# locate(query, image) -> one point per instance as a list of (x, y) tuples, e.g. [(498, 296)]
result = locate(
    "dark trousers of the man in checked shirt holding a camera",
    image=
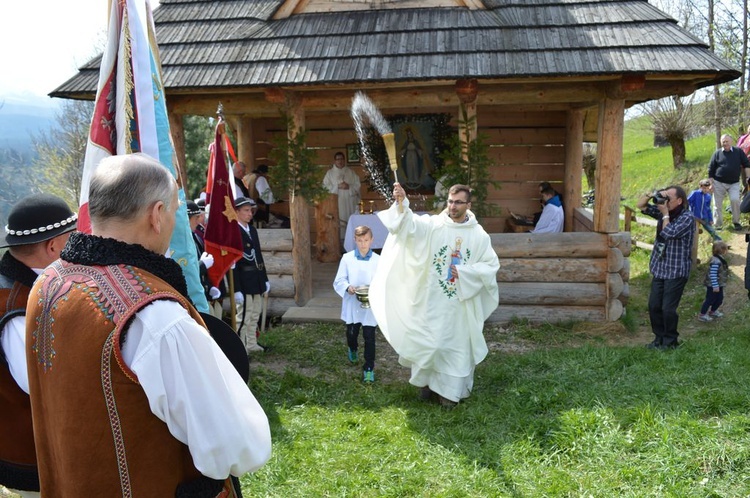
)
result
[(662, 309)]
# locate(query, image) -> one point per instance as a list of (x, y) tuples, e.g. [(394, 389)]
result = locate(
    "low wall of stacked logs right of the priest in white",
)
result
[(562, 276)]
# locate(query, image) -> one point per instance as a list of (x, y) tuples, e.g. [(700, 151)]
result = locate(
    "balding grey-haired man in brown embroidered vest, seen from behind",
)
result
[(130, 396)]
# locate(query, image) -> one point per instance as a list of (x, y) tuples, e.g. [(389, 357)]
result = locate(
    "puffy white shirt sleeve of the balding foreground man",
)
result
[(193, 388)]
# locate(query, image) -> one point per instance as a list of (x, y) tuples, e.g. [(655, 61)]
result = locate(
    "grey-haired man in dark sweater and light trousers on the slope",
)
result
[(725, 171)]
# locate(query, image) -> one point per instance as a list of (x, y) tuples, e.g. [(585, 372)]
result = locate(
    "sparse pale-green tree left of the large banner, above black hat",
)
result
[(61, 151)]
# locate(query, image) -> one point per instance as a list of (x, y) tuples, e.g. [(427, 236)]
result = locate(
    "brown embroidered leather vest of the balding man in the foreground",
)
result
[(96, 435)]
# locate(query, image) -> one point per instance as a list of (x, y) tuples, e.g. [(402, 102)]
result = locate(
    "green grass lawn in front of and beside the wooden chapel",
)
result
[(577, 409)]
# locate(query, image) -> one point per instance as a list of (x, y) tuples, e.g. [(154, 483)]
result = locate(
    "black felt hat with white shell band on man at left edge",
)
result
[(37, 218)]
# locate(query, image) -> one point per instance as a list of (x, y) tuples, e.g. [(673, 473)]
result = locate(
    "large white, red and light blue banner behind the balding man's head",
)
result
[(130, 115)]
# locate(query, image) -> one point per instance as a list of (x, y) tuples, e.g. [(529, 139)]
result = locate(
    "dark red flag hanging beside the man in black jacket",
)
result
[(222, 238)]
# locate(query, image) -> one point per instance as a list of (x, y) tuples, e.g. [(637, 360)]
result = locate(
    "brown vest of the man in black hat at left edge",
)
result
[(17, 455)]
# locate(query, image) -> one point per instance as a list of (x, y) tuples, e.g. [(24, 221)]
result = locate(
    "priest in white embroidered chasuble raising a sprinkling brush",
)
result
[(436, 285)]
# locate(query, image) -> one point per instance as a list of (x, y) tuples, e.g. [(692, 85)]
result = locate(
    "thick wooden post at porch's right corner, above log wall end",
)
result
[(609, 165)]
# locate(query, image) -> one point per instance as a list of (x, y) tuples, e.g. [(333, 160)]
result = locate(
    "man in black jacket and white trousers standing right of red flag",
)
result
[(250, 279)]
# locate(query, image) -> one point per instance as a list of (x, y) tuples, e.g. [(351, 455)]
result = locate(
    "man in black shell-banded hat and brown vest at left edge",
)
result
[(37, 230)]
